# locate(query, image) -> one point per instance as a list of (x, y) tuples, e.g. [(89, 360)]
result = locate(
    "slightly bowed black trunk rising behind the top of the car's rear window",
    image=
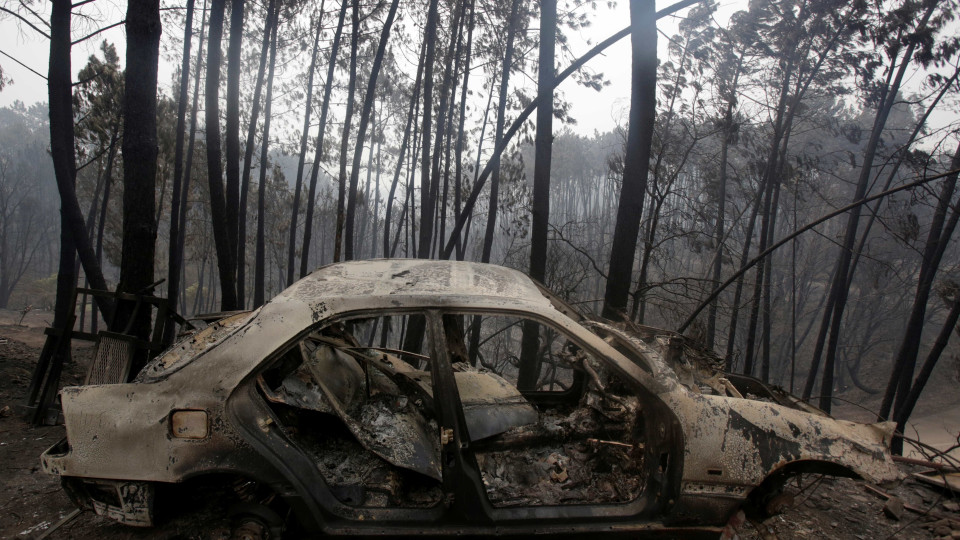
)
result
[(218, 210)]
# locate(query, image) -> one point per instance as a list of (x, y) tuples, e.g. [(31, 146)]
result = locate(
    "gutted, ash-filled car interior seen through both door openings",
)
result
[(548, 423)]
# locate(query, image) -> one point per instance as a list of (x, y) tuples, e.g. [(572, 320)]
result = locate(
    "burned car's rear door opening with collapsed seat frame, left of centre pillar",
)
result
[(372, 439)]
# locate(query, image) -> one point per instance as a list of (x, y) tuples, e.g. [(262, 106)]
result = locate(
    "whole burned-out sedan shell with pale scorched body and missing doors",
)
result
[(395, 397)]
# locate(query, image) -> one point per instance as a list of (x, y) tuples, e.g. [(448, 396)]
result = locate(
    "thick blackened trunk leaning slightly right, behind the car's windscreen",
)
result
[(643, 102)]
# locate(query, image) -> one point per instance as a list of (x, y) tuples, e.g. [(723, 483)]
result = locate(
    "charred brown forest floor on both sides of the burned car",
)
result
[(32, 503)]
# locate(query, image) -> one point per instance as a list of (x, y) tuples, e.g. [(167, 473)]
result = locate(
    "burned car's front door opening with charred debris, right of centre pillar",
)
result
[(587, 443)]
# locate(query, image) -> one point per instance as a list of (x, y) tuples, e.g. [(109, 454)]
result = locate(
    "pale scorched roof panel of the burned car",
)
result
[(413, 283)]
